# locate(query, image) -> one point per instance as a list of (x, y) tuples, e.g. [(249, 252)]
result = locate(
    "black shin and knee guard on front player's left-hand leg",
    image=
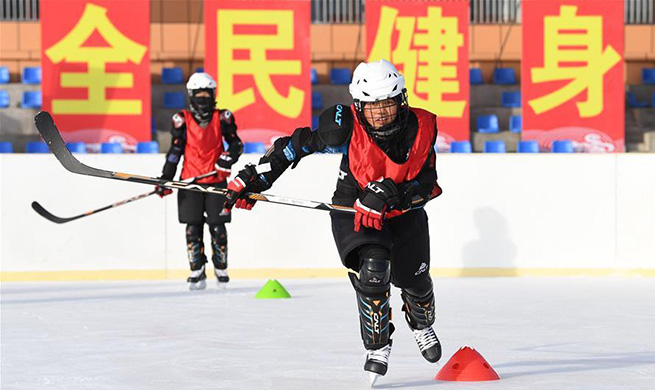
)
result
[(373, 291)]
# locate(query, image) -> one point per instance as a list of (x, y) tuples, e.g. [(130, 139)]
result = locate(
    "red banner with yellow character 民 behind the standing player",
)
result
[(259, 54)]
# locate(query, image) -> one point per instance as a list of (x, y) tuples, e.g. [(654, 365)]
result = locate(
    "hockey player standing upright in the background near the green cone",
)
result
[(198, 135)]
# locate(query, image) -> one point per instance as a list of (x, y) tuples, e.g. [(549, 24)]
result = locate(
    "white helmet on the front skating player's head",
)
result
[(375, 81)]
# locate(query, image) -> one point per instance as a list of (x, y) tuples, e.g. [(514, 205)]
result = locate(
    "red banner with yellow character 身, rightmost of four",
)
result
[(572, 73)]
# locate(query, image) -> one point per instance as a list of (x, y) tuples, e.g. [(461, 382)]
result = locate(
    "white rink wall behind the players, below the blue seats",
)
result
[(497, 211)]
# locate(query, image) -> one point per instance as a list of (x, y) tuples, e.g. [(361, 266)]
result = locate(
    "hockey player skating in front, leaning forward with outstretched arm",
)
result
[(387, 174)]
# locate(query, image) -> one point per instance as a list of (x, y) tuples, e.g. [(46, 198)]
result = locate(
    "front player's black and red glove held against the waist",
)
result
[(377, 198)]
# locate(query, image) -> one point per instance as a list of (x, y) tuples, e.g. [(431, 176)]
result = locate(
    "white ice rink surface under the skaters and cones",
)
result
[(538, 333)]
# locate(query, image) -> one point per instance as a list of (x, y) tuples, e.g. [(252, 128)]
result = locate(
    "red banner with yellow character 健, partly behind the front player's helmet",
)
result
[(427, 41)]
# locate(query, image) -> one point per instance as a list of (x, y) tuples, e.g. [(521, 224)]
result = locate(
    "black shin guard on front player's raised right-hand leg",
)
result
[(419, 304)]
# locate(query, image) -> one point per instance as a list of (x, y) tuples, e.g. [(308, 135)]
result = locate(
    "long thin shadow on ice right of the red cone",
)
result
[(587, 363)]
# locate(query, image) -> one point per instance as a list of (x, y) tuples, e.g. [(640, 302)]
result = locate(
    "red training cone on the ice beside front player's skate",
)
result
[(467, 365)]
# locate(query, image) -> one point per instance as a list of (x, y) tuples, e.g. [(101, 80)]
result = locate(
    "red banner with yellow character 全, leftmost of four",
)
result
[(96, 69)]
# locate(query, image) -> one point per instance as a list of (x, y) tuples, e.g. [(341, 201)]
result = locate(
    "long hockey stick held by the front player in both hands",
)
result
[(50, 133)]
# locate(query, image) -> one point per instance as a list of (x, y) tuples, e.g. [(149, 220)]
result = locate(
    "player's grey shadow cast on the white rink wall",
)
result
[(493, 249)]
